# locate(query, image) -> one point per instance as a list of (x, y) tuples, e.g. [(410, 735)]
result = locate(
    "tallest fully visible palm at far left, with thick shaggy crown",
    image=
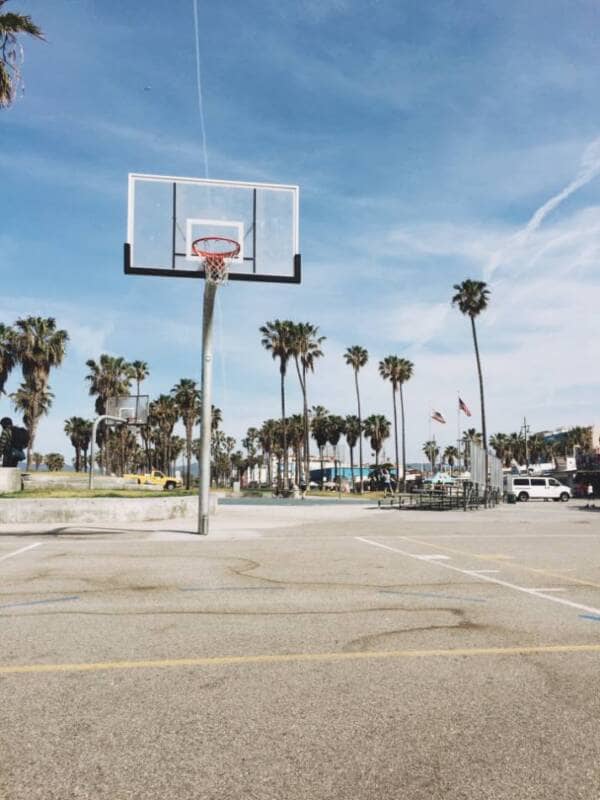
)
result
[(39, 347)]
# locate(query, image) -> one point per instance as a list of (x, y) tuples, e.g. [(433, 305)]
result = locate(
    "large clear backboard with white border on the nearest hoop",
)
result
[(167, 214)]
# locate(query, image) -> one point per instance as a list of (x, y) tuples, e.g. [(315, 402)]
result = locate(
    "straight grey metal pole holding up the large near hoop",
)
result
[(210, 290)]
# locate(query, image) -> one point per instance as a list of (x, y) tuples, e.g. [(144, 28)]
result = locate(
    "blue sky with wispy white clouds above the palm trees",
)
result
[(424, 138)]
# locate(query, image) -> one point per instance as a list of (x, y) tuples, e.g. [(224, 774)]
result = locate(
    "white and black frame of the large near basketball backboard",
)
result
[(130, 268)]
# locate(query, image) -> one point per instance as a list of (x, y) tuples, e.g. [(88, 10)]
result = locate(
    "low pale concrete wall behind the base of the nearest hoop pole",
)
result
[(100, 509)]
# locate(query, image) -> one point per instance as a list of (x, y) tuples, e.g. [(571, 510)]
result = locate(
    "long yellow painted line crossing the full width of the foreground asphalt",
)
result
[(287, 658)]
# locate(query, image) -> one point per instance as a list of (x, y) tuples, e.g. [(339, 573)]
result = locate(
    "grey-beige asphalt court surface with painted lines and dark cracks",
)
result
[(338, 652)]
